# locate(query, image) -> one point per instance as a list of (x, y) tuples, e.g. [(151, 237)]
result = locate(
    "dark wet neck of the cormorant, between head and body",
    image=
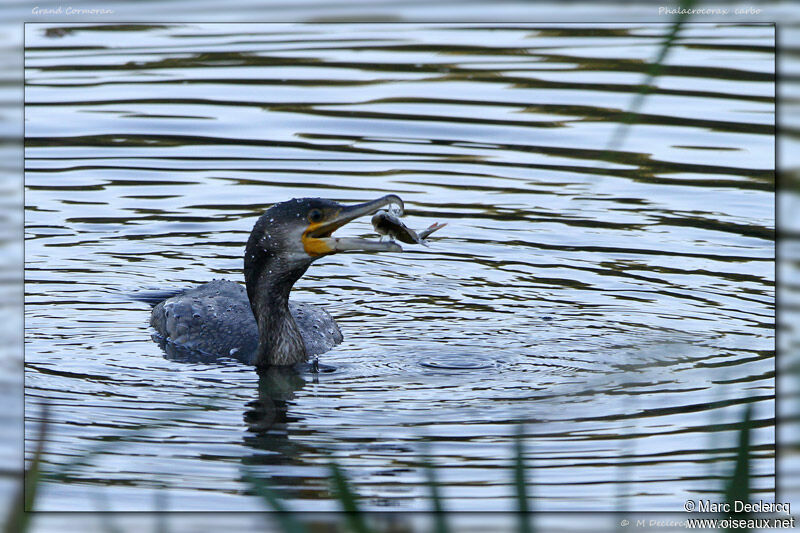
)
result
[(269, 280)]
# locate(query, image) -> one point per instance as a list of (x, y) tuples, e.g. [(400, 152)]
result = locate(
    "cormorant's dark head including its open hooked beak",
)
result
[(299, 231)]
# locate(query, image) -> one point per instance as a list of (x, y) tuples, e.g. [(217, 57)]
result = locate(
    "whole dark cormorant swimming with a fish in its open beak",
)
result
[(258, 324)]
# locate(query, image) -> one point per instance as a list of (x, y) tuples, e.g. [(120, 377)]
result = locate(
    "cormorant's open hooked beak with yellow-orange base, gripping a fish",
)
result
[(317, 240)]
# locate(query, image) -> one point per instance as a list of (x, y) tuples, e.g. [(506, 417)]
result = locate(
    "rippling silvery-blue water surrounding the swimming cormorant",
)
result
[(618, 302)]
